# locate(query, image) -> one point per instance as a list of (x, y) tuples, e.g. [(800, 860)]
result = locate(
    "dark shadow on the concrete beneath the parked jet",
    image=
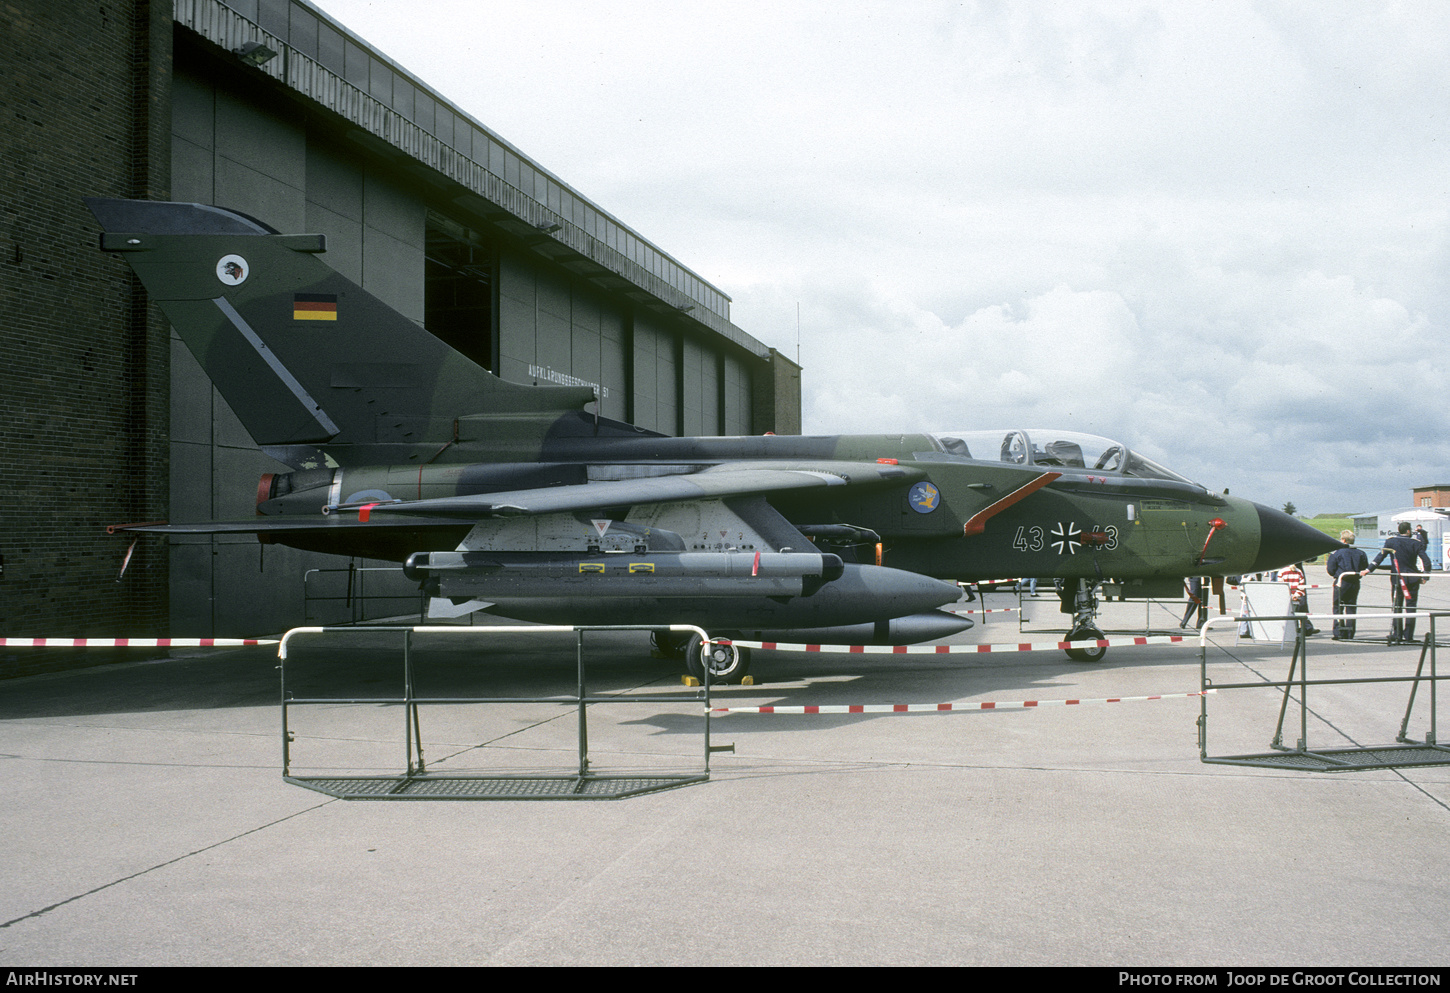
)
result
[(250, 678)]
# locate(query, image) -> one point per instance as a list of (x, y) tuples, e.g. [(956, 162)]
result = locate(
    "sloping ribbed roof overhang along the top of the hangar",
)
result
[(394, 112)]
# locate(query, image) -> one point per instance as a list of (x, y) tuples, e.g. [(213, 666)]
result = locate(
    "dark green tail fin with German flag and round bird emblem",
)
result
[(302, 354)]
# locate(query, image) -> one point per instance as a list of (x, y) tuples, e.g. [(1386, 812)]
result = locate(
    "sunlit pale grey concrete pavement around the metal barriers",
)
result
[(147, 821)]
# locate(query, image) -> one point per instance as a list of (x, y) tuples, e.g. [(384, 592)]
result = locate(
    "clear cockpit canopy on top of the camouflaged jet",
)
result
[(1053, 450)]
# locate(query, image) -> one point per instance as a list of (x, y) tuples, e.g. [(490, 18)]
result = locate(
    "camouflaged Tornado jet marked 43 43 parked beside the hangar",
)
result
[(517, 501)]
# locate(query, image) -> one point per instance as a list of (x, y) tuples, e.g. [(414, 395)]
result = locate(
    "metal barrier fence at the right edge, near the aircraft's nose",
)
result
[(1329, 760)]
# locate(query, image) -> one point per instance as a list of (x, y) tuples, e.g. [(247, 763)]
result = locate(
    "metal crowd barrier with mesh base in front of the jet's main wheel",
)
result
[(417, 784)]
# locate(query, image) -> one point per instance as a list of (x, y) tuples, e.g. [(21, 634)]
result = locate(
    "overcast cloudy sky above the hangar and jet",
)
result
[(1216, 231)]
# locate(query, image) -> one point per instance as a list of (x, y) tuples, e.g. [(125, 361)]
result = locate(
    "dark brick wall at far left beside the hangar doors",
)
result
[(83, 359)]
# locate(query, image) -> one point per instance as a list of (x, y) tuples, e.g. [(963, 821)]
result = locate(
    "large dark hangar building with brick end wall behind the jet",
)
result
[(275, 109)]
